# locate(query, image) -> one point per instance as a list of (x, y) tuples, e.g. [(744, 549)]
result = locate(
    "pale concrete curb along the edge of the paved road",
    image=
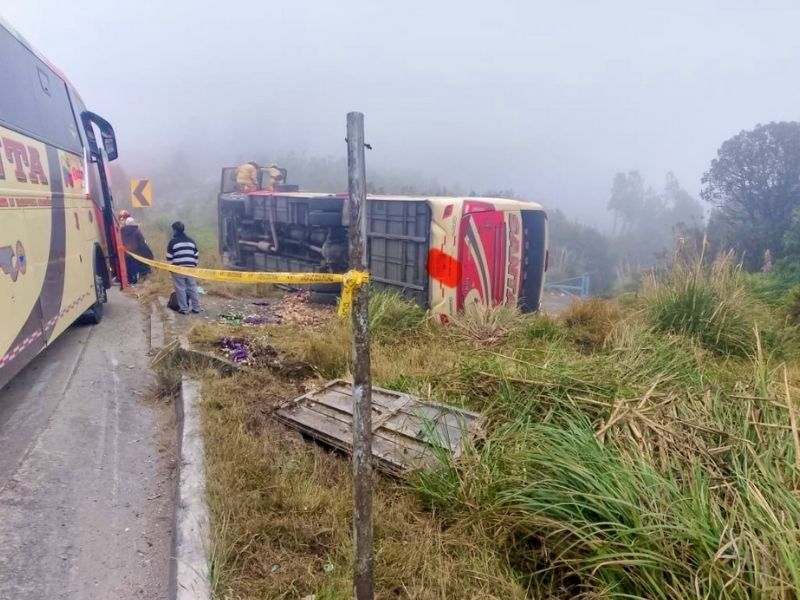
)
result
[(190, 572)]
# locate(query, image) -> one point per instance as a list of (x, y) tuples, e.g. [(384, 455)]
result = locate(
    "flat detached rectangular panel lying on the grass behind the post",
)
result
[(408, 432)]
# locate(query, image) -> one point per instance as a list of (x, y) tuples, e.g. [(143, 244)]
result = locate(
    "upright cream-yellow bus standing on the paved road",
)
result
[(58, 236)]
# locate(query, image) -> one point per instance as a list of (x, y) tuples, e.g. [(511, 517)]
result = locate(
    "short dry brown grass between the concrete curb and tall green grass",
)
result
[(282, 515)]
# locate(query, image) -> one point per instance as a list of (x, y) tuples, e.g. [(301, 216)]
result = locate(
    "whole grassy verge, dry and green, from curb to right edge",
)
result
[(645, 447)]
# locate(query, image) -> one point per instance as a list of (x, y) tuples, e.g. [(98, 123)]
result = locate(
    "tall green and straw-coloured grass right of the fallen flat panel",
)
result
[(657, 461)]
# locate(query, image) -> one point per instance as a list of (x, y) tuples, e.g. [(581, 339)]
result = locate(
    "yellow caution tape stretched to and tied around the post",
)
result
[(351, 281)]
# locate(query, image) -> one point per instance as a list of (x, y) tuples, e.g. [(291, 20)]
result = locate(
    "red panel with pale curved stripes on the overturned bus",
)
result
[(482, 254)]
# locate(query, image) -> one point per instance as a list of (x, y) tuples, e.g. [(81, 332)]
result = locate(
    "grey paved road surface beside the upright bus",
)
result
[(85, 468)]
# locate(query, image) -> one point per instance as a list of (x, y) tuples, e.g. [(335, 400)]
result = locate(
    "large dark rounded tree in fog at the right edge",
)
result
[(754, 185)]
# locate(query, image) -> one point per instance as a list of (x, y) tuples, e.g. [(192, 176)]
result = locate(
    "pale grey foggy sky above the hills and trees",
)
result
[(548, 100)]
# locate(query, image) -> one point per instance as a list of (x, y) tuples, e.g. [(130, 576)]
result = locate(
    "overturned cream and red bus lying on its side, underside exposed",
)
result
[(444, 253)]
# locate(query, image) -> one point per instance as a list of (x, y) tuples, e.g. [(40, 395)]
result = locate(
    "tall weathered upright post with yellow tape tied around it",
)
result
[(364, 560)]
